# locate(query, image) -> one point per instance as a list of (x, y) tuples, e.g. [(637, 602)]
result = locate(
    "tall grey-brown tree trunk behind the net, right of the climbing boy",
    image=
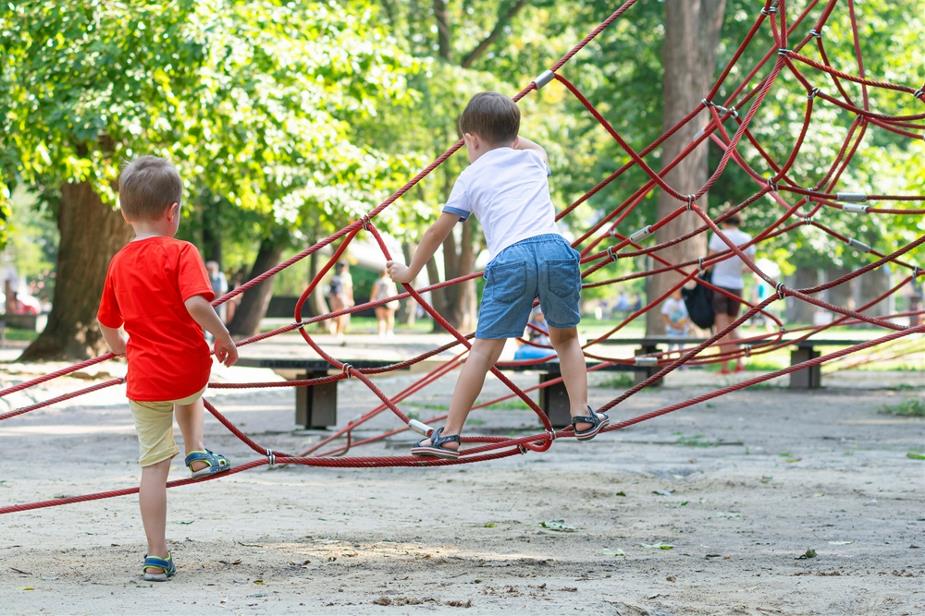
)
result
[(689, 56)]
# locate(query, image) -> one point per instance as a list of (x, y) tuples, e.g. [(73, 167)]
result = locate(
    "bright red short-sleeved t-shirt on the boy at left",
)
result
[(146, 285)]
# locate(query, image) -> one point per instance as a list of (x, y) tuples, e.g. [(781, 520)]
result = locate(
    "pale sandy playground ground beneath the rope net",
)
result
[(739, 487)]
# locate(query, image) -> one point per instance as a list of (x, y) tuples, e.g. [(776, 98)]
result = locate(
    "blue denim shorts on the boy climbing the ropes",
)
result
[(545, 266)]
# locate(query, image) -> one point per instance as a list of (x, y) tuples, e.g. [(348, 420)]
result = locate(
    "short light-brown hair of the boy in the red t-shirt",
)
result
[(147, 187)]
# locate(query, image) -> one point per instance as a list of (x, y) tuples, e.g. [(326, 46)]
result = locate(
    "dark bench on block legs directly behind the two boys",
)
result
[(316, 405)]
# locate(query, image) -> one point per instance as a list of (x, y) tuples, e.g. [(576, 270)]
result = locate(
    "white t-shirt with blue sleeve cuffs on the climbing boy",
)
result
[(508, 192)]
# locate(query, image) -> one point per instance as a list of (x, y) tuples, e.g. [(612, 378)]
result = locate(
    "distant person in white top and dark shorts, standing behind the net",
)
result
[(727, 274)]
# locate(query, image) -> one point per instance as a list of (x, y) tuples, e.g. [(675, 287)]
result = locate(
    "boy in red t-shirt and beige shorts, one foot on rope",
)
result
[(158, 289)]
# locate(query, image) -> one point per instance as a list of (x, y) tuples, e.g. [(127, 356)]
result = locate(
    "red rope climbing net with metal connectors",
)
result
[(607, 242)]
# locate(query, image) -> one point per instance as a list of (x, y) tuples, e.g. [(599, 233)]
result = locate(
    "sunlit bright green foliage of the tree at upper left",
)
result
[(256, 102)]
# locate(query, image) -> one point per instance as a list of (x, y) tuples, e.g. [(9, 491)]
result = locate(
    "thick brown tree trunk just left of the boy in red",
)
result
[(91, 233)]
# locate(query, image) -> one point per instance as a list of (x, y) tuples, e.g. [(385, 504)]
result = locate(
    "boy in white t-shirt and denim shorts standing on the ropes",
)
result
[(506, 187)]
